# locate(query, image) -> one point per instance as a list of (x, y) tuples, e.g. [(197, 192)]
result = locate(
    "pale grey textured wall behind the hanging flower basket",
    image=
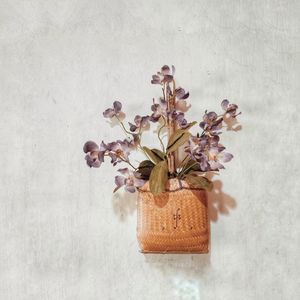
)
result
[(62, 233)]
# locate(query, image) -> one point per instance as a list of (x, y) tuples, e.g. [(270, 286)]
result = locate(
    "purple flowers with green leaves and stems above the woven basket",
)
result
[(203, 152)]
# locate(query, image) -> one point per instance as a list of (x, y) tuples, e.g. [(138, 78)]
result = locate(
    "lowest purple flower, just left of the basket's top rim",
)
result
[(130, 180)]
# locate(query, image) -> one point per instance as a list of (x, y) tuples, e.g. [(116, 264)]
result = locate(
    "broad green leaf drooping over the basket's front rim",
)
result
[(159, 178)]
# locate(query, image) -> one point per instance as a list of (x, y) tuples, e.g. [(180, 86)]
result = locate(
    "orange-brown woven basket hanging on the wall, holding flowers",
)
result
[(174, 221)]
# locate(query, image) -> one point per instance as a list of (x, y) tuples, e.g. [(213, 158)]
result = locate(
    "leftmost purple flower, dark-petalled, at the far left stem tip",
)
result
[(95, 154)]
